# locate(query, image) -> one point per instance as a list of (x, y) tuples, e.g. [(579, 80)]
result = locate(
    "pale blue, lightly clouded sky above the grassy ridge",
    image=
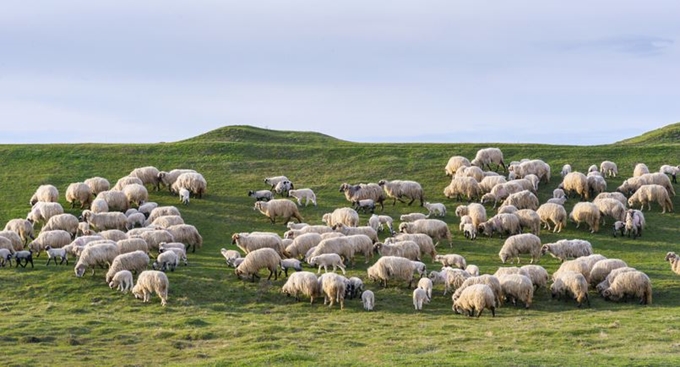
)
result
[(577, 72)]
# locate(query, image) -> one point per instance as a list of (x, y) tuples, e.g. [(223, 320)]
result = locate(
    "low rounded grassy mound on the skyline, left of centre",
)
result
[(250, 134)]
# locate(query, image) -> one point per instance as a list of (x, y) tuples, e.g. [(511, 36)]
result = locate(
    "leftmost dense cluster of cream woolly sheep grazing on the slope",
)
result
[(118, 228)]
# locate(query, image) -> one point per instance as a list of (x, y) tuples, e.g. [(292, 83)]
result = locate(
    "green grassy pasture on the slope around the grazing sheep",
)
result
[(53, 318)]
